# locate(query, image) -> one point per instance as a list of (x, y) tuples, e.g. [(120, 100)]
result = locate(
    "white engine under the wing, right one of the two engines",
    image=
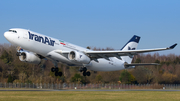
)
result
[(79, 57)]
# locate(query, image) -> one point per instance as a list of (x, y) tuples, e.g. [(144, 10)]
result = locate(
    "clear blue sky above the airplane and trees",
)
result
[(97, 23)]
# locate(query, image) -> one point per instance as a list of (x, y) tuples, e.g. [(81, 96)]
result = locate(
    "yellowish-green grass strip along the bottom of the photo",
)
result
[(89, 96)]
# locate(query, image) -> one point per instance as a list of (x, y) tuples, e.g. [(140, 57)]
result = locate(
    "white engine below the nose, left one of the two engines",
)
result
[(29, 57)]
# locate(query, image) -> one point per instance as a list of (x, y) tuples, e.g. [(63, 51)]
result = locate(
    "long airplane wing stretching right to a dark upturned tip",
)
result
[(107, 54)]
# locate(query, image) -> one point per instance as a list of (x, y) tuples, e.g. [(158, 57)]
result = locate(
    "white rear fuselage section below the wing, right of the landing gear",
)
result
[(105, 65)]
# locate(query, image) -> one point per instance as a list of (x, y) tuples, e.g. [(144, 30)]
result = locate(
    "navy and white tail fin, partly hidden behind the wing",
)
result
[(130, 45)]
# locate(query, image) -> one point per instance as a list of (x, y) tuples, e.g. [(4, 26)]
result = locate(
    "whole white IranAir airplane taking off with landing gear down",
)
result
[(38, 46)]
